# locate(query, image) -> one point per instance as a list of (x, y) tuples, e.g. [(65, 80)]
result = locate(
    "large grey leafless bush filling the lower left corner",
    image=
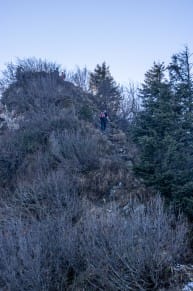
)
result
[(39, 239)]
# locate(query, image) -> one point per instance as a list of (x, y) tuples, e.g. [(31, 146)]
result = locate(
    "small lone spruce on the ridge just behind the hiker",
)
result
[(105, 90)]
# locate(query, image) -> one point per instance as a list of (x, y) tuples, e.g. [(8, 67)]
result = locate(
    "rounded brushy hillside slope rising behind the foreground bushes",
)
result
[(63, 125)]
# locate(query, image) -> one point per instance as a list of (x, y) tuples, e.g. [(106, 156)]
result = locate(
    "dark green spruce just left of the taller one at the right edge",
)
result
[(153, 127)]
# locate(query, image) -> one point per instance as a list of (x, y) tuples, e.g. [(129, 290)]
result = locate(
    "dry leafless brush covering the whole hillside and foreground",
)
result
[(55, 171)]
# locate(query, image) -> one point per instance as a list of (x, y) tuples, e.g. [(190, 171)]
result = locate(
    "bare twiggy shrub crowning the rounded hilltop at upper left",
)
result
[(31, 84)]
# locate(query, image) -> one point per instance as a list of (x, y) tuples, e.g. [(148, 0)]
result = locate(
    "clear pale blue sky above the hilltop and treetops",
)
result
[(128, 34)]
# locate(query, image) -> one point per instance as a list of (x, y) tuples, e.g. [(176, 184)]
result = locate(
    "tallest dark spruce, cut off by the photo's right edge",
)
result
[(181, 79)]
